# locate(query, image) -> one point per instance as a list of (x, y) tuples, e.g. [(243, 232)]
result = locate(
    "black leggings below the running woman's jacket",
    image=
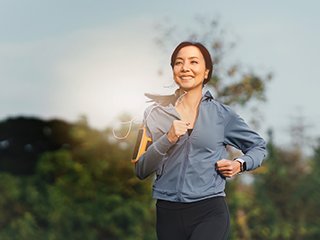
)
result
[(203, 220)]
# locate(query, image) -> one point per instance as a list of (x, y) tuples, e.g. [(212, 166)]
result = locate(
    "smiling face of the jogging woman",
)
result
[(189, 69)]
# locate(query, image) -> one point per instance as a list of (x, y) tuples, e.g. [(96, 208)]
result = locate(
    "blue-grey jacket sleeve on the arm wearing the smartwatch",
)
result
[(239, 135)]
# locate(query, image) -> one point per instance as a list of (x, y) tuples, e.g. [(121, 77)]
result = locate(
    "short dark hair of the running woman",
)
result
[(205, 53)]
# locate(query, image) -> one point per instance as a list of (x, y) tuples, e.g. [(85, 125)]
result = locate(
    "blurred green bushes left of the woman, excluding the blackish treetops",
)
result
[(85, 192)]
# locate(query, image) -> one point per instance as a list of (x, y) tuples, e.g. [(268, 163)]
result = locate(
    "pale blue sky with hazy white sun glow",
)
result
[(64, 59)]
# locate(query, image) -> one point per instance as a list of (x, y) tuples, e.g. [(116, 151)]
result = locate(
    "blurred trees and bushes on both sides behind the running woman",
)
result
[(62, 180)]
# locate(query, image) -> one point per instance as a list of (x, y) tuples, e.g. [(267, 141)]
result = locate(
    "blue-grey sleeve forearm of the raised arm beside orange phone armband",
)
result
[(150, 161)]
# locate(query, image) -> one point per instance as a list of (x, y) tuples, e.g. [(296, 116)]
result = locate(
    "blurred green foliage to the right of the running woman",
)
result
[(283, 201)]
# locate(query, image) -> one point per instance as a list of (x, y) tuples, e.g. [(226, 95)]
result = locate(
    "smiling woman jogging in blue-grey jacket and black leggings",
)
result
[(190, 132)]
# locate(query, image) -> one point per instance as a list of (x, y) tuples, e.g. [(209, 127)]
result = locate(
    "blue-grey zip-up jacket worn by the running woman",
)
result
[(185, 171)]
